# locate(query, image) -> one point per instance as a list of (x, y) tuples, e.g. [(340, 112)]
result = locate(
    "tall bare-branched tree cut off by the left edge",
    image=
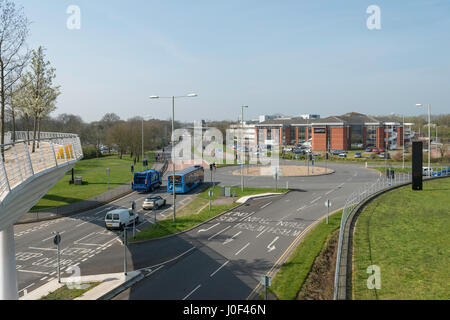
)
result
[(13, 54)]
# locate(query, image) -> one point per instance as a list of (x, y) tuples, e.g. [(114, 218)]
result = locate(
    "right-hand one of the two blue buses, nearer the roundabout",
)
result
[(186, 180)]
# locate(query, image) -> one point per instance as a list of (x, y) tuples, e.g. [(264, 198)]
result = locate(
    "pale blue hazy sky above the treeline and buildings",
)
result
[(279, 56)]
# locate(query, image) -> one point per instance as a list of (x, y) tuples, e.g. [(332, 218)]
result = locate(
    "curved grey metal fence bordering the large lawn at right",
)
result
[(351, 204)]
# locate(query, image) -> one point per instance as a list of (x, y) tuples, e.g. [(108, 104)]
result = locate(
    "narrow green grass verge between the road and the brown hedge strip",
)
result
[(288, 281)]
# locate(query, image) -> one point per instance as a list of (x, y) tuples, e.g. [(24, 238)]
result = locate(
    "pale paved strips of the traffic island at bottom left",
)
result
[(111, 285)]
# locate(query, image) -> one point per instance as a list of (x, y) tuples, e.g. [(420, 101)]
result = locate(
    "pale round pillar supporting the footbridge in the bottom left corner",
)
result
[(8, 273)]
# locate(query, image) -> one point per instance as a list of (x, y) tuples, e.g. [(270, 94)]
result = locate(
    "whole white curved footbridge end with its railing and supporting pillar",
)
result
[(25, 177)]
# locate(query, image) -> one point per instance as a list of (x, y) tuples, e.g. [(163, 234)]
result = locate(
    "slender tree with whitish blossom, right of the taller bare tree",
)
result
[(40, 89)]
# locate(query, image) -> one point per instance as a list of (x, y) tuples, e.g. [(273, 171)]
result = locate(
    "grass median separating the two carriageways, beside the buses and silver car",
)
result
[(188, 216)]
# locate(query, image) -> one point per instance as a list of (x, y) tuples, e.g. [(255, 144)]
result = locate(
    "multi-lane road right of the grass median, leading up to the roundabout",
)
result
[(230, 253)]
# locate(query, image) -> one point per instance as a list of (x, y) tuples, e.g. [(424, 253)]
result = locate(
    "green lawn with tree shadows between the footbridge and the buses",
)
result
[(94, 176)]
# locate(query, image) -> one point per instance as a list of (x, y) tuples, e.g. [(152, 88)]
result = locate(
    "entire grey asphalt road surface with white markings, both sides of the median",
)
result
[(224, 258)]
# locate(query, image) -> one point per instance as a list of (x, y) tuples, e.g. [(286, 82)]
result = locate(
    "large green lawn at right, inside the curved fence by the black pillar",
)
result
[(407, 234)]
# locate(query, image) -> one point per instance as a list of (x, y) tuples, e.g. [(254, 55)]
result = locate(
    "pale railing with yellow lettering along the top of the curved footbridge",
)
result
[(25, 158)]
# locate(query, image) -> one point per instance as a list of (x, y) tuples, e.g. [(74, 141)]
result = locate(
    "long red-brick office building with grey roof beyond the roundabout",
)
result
[(350, 131)]
